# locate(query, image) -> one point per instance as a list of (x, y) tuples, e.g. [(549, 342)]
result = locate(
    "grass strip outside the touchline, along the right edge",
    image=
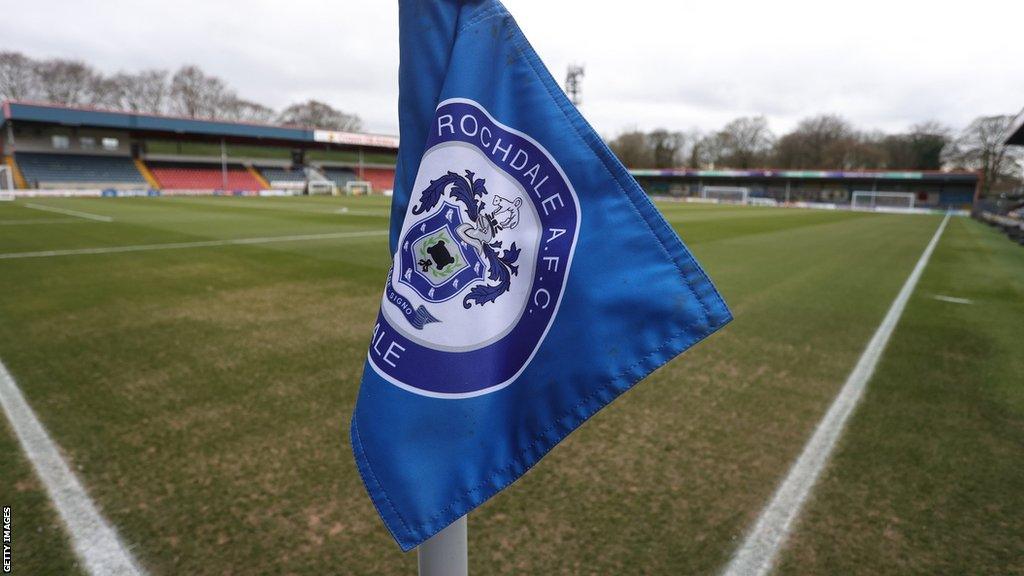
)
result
[(932, 467)]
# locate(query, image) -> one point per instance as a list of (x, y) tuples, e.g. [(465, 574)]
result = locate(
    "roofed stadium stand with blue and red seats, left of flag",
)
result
[(83, 150)]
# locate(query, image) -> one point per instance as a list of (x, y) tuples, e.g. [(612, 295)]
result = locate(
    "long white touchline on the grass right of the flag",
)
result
[(758, 554)]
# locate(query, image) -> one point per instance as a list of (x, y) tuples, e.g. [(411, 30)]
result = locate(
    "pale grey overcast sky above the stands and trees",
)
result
[(883, 65)]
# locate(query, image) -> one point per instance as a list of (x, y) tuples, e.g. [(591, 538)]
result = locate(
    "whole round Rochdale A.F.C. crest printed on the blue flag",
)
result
[(482, 263)]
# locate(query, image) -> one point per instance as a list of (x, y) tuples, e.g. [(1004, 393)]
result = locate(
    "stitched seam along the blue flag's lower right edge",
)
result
[(623, 377)]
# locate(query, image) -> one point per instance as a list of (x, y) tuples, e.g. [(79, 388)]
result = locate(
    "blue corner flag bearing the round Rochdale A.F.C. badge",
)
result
[(533, 280)]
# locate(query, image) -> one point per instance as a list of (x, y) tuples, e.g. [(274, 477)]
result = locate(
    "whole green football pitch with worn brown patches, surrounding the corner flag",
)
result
[(198, 359)]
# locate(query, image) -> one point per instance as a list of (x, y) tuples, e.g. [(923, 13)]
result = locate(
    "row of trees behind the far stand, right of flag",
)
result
[(830, 143)]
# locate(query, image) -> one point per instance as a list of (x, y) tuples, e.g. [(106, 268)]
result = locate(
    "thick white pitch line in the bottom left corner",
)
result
[(97, 543)]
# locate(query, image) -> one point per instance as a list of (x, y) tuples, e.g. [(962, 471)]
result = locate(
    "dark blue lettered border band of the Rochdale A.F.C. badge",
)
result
[(440, 374)]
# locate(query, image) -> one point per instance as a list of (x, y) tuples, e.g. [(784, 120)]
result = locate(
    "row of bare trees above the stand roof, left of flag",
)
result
[(189, 92)]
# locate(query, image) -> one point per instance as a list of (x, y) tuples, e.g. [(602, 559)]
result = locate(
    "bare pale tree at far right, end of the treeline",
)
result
[(983, 147)]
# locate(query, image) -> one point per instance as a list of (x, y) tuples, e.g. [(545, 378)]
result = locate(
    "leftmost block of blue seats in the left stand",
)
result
[(50, 171)]
